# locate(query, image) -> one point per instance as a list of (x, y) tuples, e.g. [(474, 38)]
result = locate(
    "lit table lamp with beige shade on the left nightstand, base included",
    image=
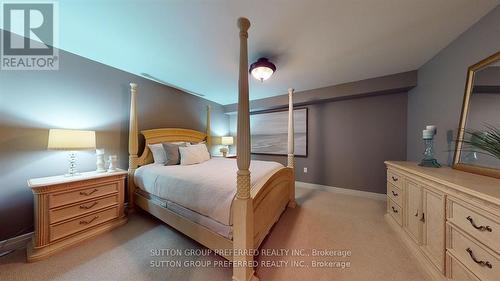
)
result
[(71, 140)]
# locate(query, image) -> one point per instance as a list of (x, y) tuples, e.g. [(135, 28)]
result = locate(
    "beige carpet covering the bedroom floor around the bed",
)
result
[(323, 220)]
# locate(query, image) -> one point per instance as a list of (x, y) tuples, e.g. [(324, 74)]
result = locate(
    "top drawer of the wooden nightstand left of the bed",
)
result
[(73, 196)]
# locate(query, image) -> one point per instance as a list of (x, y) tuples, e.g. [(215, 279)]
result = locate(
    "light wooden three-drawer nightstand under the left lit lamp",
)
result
[(69, 210)]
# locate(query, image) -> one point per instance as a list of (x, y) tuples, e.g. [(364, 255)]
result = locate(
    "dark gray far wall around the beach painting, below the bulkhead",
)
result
[(349, 141)]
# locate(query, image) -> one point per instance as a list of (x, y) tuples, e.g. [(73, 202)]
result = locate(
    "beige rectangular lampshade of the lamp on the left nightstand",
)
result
[(71, 139)]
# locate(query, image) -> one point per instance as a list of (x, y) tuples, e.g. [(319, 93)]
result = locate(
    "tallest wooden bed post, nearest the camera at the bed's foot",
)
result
[(243, 223)]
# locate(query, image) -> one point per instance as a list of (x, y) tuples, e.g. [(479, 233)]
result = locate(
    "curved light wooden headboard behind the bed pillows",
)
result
[(167, 135)]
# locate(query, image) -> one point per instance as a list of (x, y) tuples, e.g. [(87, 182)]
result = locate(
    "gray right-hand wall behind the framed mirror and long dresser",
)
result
[(438, 97)]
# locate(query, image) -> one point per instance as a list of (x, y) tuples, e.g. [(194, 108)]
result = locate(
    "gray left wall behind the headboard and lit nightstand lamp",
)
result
[(85, 95)]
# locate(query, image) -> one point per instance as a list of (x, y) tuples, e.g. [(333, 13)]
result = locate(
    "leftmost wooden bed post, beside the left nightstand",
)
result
[(133, 146)]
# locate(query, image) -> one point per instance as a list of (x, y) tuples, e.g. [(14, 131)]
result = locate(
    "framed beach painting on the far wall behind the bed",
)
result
[(269, 132)]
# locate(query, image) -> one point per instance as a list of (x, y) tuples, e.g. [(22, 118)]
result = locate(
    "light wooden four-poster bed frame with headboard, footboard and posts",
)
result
[(254, 210)]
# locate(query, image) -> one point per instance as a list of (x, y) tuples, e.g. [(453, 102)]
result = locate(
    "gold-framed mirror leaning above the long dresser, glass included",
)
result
[(478, 139)]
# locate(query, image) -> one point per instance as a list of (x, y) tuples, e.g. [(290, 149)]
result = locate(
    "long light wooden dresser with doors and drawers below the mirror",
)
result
[(449, 219)]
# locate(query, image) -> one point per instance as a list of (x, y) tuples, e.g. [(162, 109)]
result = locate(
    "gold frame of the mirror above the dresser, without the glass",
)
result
[(485, 171)]
